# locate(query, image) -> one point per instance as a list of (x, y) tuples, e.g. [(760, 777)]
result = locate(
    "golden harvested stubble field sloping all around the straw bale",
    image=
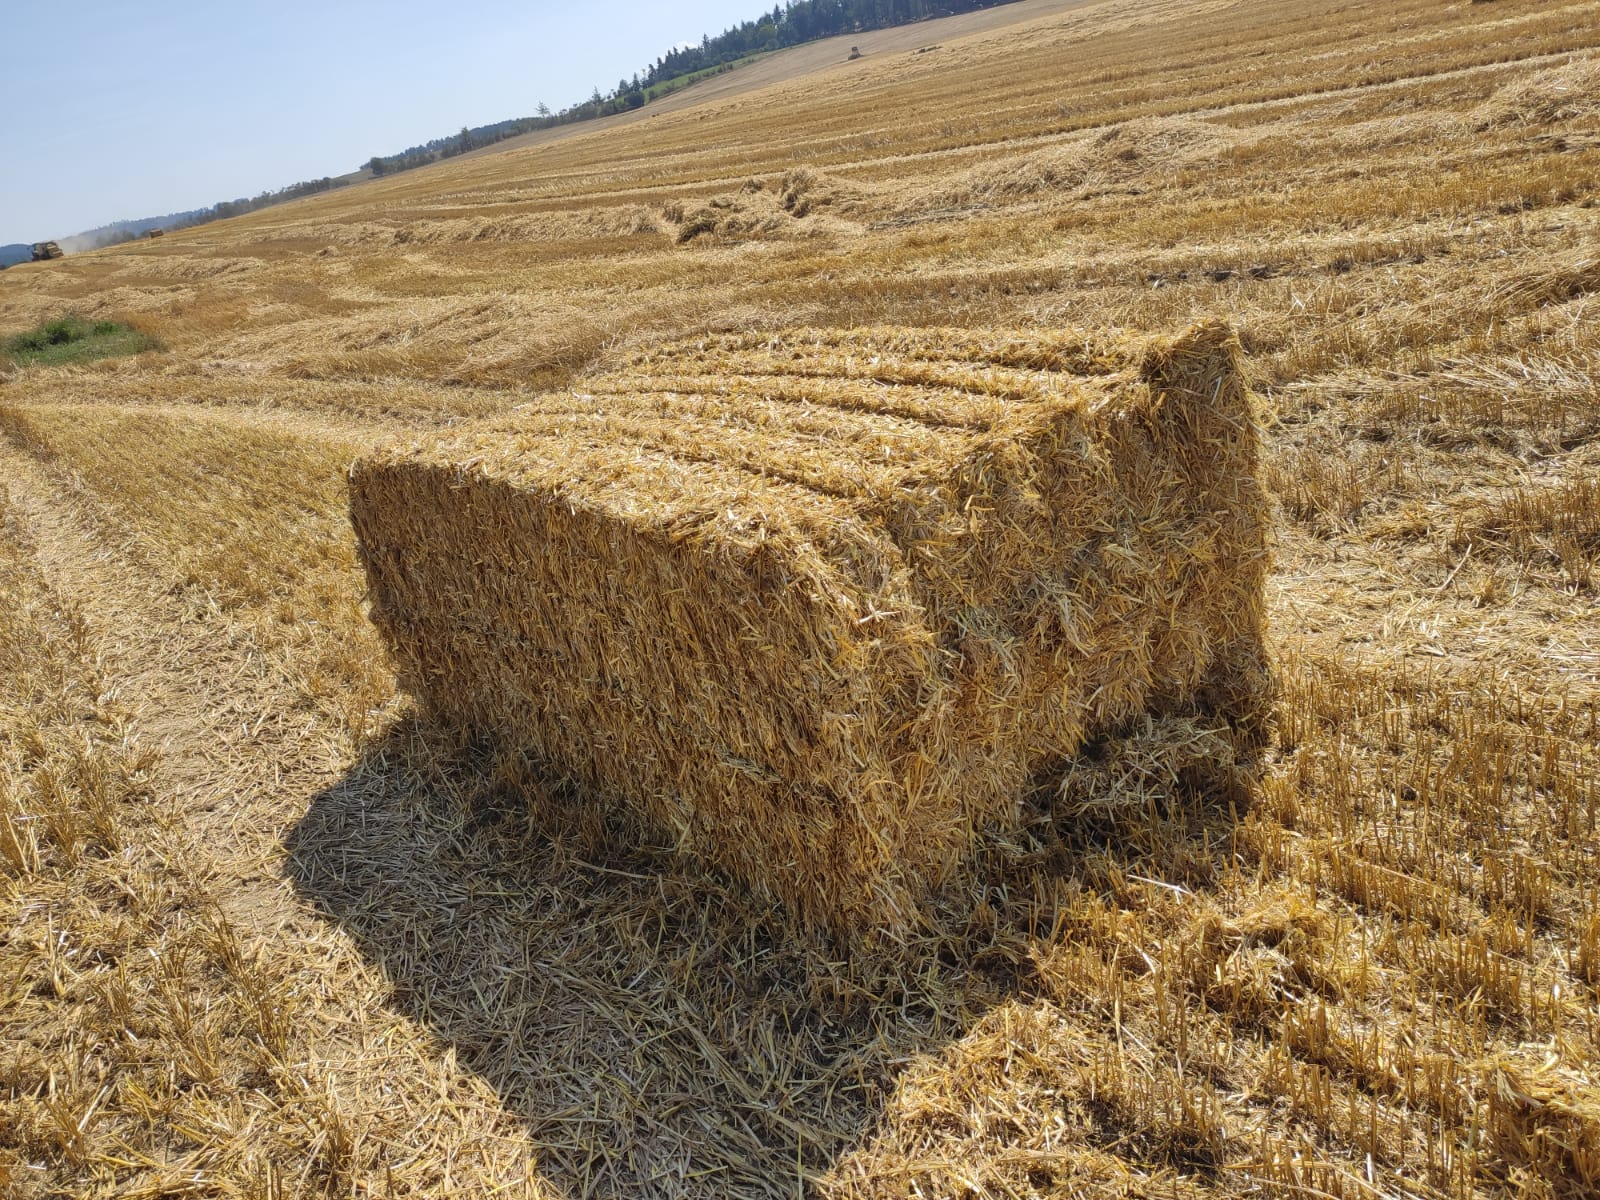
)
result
[(270, 934)]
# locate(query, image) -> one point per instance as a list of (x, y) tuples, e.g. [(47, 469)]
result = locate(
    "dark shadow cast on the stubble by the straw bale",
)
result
[(657, 1030)]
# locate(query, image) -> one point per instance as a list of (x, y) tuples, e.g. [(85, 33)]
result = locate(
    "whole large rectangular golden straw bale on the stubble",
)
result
[(822, 606)]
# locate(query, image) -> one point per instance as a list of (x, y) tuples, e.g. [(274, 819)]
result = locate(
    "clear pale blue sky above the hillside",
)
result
[(118, 111)]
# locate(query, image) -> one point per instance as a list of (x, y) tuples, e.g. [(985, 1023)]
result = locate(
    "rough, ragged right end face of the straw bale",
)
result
[(1116, 569)]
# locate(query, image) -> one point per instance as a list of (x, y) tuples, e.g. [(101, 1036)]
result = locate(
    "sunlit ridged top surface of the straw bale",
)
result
[(810, 433)]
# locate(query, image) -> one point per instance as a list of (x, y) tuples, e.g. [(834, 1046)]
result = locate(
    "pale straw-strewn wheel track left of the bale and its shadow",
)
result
[(241, 754)]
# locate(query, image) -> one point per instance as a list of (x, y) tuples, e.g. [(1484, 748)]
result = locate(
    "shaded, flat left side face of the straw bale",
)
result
[(724, 679)]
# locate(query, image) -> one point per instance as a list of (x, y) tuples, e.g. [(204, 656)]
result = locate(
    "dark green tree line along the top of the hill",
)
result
[(786, 26)]
